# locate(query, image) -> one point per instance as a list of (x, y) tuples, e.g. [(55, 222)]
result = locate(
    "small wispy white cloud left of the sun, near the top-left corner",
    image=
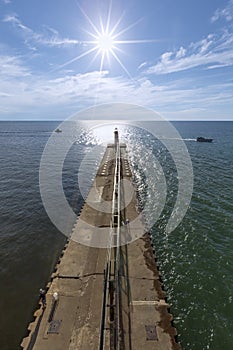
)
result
[(49, 37)]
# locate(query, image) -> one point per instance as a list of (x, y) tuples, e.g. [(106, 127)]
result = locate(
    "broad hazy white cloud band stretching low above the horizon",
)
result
[(27, 93)]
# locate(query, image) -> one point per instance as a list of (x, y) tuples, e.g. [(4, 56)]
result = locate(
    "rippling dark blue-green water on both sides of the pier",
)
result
[(195, 260)]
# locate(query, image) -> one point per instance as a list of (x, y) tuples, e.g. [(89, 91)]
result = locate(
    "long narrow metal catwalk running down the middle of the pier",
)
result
[(111, 292)]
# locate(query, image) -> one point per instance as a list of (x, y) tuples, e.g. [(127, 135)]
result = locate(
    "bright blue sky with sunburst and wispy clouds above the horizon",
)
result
[(175, 57)]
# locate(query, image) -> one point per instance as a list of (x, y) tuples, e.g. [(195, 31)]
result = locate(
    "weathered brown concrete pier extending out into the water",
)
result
[(110, 297)]
